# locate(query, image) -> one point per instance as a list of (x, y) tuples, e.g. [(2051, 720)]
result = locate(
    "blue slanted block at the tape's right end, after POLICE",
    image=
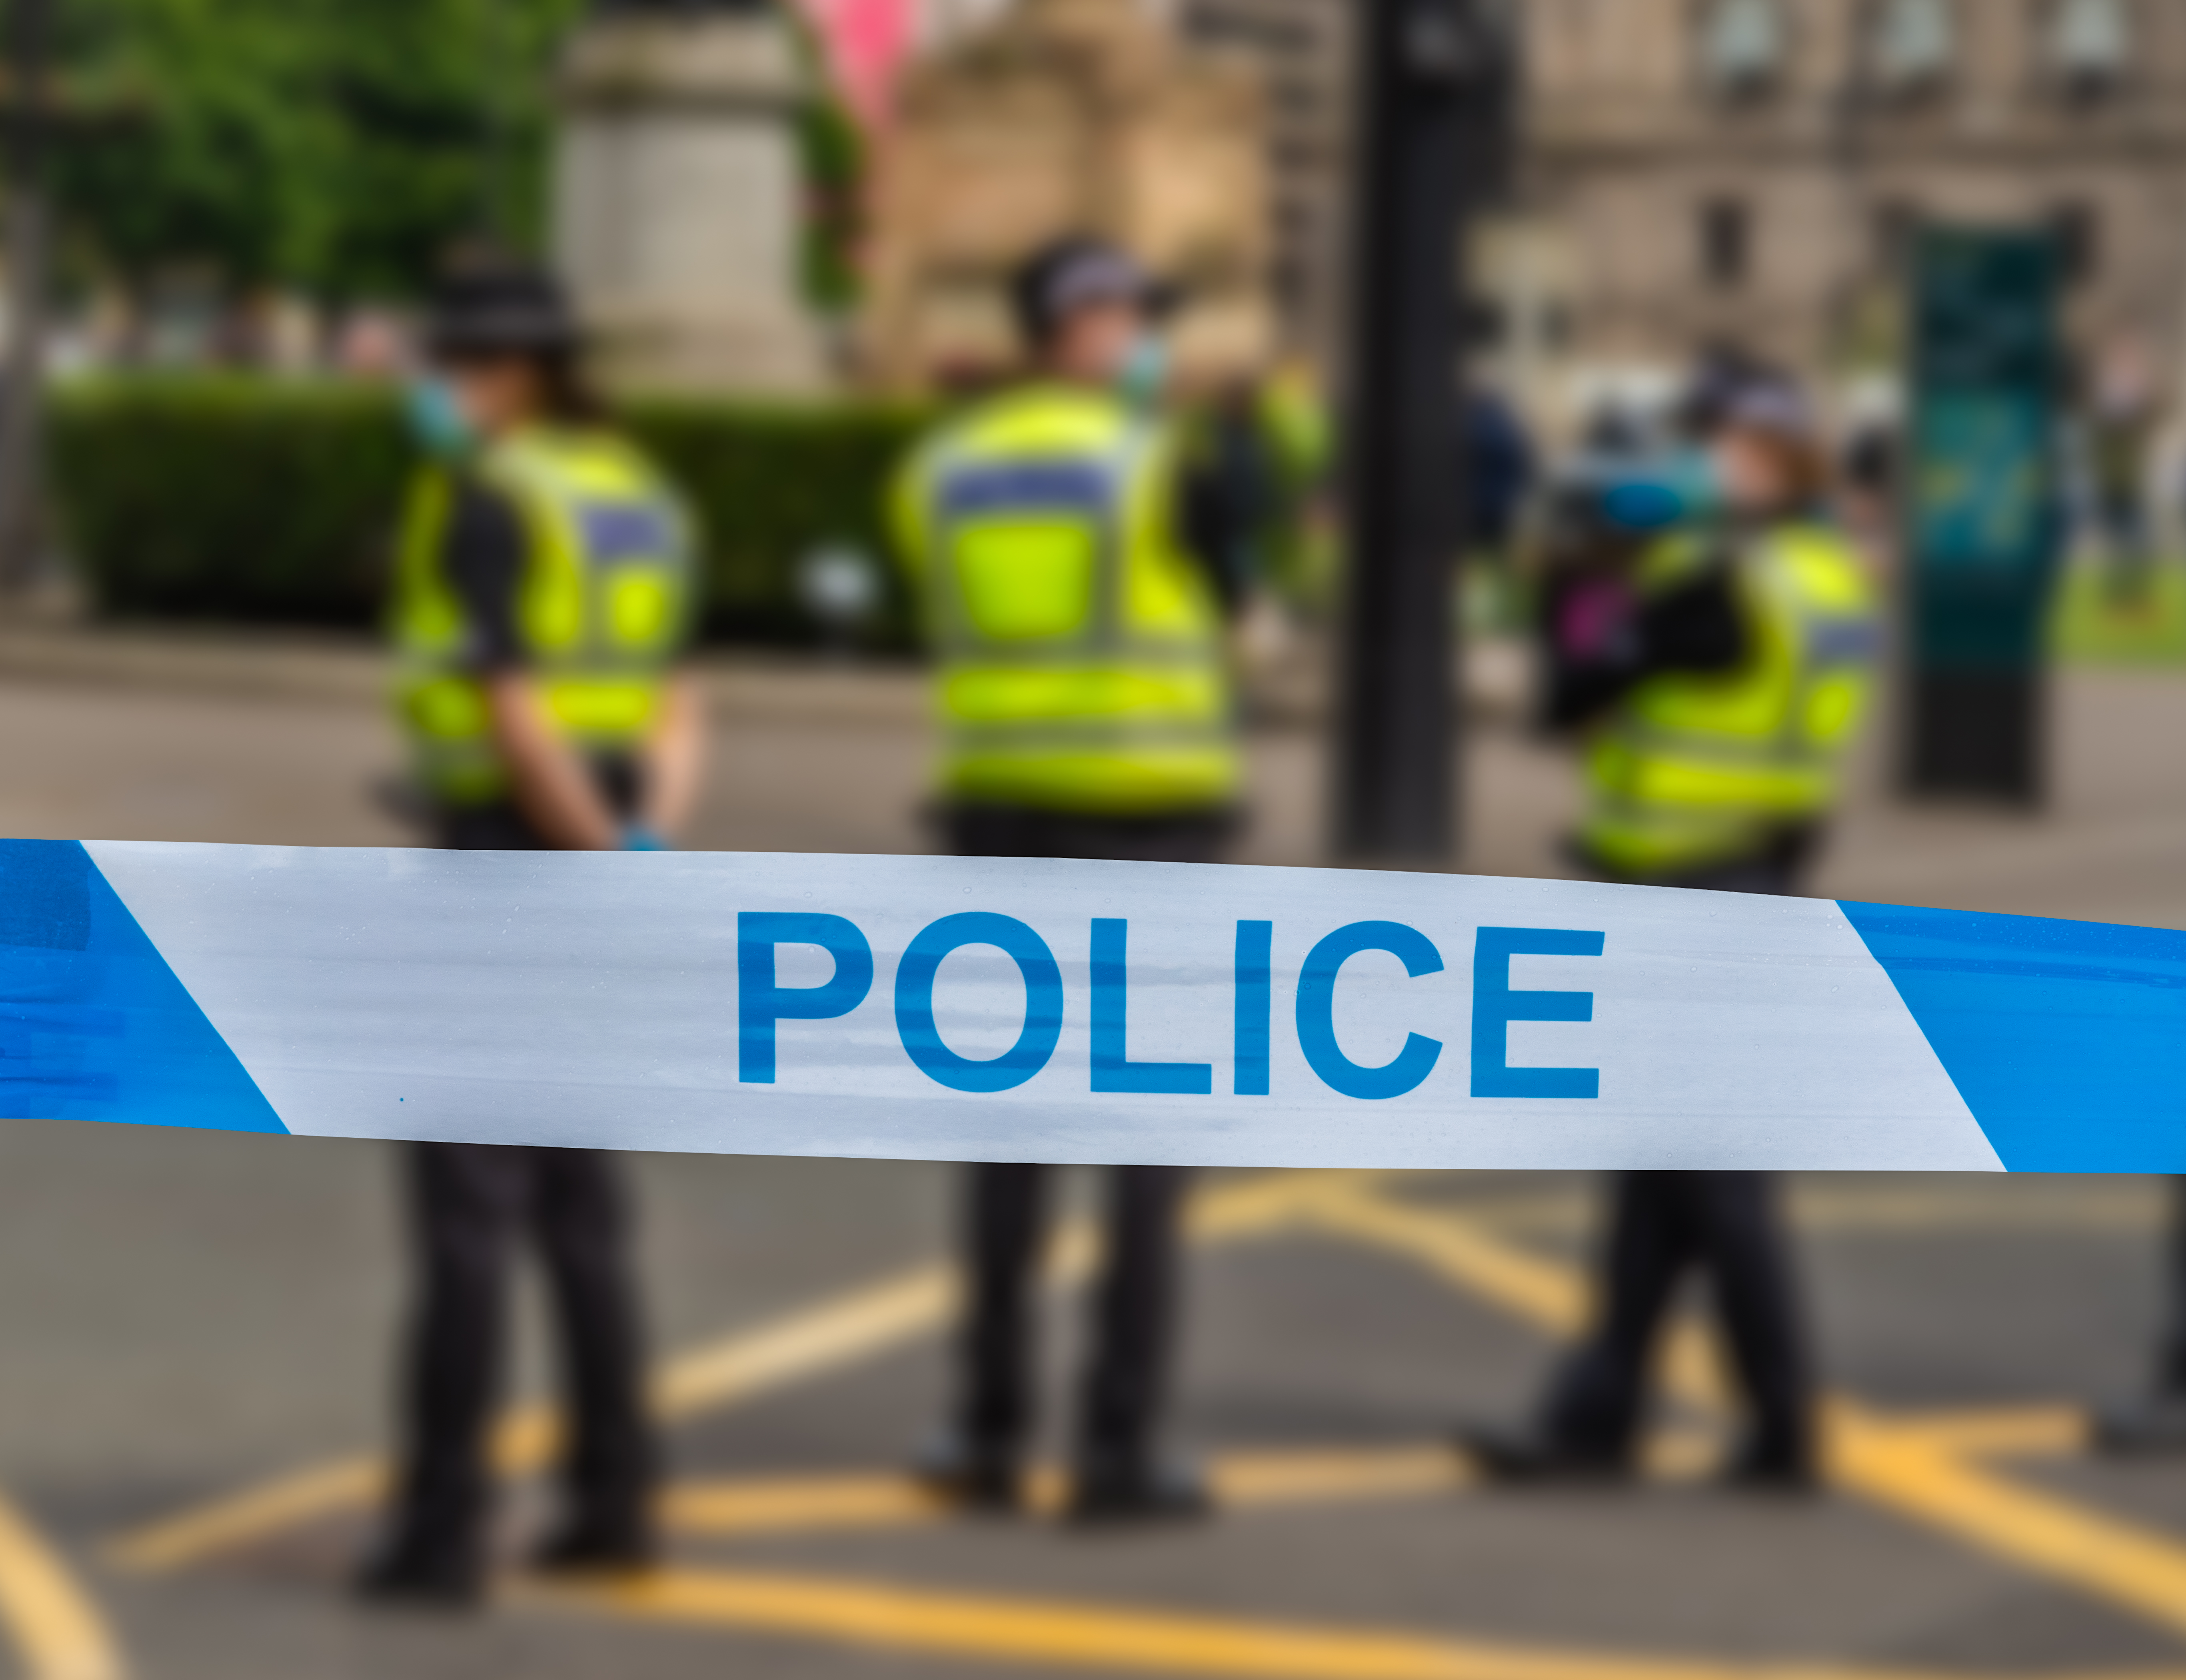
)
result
[(2067, 1039)]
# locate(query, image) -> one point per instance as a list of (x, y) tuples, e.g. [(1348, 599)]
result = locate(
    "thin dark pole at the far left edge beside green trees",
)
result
[(27, 261)]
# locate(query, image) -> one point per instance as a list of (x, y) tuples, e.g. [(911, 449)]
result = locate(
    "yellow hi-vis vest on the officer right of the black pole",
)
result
[(1708, 768)]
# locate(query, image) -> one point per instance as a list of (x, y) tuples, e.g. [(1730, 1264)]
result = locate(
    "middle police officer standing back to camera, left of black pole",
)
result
[(1088, 713)]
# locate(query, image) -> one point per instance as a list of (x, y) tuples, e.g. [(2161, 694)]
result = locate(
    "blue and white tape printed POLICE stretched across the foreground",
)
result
[(1072, 1013)]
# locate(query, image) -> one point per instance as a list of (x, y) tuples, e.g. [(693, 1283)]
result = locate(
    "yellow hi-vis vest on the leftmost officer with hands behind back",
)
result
[(602, 606)]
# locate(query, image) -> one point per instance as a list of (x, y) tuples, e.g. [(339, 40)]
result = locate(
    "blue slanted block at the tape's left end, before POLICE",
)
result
[(93, 1021)]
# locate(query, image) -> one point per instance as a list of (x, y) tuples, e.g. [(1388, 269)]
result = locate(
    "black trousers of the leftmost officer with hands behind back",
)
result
[(471, 1207)]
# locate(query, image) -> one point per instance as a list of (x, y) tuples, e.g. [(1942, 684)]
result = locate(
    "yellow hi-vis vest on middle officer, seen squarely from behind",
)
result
[(1081, 650)]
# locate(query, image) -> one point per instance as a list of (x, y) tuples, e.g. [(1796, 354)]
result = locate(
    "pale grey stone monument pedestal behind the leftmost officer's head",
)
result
[(679, 196)]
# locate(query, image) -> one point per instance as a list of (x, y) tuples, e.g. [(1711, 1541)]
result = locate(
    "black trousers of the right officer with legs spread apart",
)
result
[(1665, 1227)]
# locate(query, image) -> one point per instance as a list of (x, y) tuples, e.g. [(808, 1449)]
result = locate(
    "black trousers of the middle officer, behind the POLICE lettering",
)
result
[(1007, 1216)]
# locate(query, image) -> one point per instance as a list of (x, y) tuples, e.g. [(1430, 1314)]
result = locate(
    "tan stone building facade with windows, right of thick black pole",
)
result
[(1752, 169)]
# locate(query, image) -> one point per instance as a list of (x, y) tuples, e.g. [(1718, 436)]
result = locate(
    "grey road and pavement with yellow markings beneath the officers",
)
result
[(196, 1332)]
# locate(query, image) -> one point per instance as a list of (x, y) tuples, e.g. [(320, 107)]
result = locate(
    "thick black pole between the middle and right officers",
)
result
[(1431, 141)]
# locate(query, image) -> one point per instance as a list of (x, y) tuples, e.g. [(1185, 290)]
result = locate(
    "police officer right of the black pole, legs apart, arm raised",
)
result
[(1721, 711)]
